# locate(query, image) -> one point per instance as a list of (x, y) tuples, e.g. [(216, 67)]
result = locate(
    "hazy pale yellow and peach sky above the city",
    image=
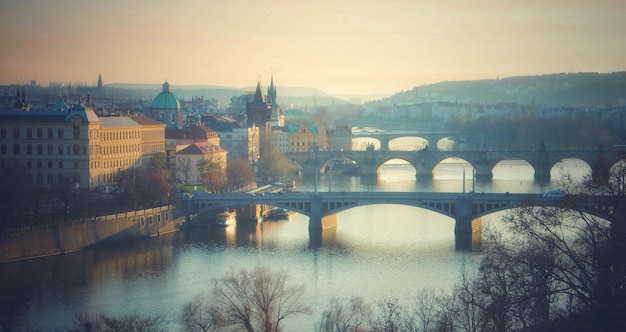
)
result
[(337, 46)]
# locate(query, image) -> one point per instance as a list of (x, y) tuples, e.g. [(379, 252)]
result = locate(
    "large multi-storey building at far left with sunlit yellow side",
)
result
[(72, 145)]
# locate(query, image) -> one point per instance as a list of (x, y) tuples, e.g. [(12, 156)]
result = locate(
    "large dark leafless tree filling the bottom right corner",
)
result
[(559, 266)]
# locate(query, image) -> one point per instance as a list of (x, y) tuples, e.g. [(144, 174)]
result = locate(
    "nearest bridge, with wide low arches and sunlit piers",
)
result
[(322, 208)]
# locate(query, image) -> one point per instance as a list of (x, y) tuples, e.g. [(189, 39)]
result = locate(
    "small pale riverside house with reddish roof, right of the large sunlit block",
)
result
[(188, 159)]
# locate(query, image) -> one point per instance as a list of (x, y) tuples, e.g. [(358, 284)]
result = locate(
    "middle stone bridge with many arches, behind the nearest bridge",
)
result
[(483, 162)]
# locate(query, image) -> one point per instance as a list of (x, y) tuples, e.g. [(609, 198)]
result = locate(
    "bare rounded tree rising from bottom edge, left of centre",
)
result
[(259, 298)]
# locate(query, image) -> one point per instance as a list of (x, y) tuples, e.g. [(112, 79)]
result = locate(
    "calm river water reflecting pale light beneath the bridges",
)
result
[(376, 252)]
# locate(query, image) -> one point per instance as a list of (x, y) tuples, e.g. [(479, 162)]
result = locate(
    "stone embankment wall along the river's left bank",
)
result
[(46, 240)]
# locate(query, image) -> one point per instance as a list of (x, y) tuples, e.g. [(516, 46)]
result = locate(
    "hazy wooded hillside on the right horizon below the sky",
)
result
[(553, 89)]
